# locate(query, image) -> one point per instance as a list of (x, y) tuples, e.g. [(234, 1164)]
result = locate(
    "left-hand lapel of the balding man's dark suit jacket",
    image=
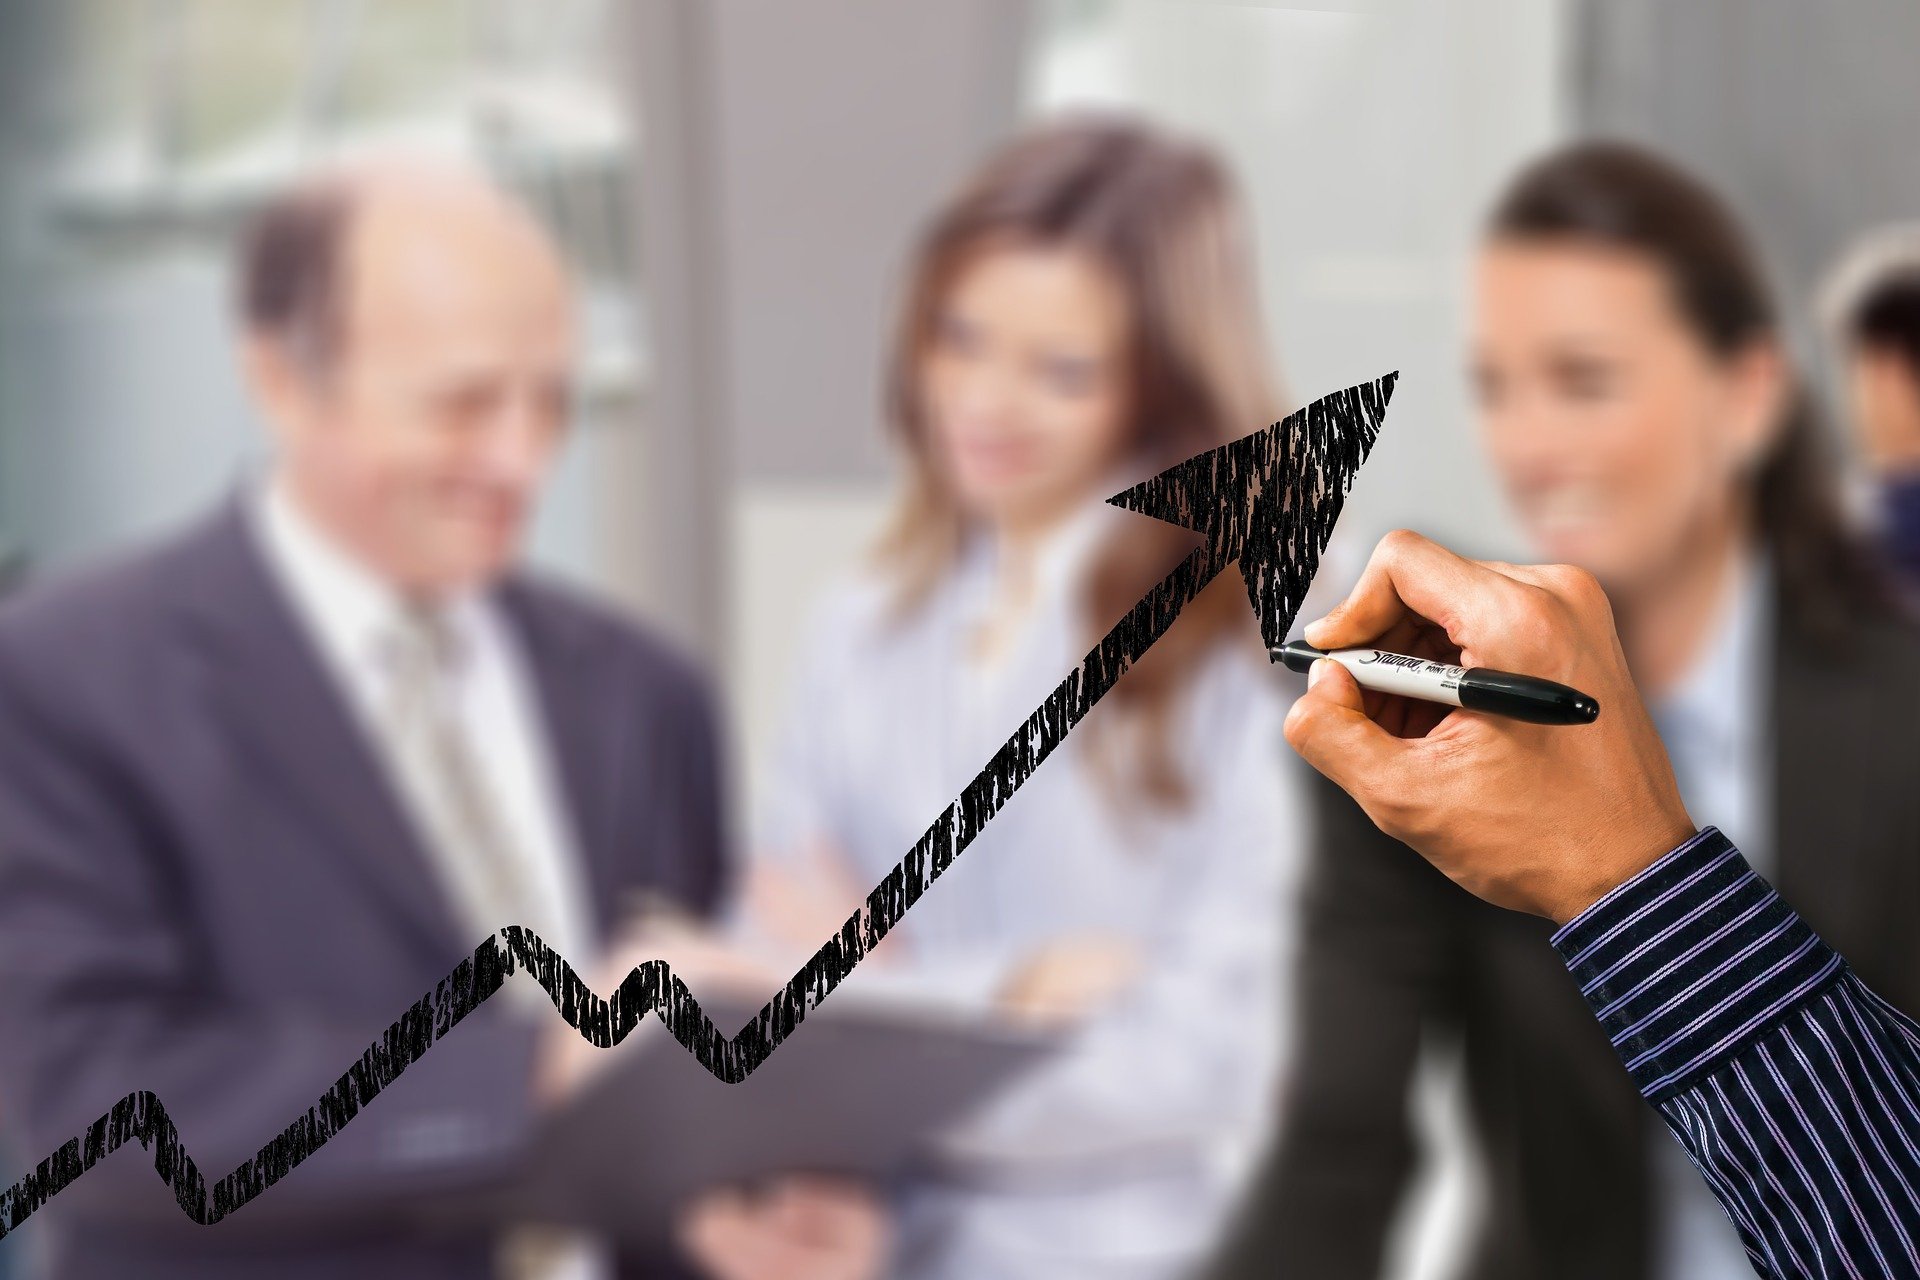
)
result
[(283, 707)]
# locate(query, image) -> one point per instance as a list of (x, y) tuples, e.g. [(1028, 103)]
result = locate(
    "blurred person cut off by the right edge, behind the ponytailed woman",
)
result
[(1873, 310)]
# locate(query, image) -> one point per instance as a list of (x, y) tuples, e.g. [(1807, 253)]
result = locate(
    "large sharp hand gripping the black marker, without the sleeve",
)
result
[(1537, 818)]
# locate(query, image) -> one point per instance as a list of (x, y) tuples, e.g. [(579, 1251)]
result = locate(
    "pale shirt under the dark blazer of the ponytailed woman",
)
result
[(1717, 738)]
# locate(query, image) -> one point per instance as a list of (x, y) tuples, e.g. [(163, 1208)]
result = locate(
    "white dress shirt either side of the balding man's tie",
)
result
[(350, 615)]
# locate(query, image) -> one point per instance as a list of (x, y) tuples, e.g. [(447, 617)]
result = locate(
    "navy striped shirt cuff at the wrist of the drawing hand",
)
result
[(1691, 962)]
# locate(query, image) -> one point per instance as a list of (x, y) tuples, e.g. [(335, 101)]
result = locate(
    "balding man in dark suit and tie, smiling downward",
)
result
[(266, 784)]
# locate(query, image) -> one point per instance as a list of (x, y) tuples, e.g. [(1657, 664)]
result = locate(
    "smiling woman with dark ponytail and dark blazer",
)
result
[(1646, 427)]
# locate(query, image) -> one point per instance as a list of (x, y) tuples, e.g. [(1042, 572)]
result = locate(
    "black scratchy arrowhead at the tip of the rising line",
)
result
[(1270, 500)]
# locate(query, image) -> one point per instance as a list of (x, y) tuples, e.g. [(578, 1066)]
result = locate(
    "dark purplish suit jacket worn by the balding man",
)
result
[(208, 889)]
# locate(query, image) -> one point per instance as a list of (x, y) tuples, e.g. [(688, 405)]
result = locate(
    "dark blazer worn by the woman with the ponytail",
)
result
[(1397, 953)]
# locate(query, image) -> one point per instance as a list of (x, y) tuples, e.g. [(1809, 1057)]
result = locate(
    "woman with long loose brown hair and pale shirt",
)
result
[(1078, 318)]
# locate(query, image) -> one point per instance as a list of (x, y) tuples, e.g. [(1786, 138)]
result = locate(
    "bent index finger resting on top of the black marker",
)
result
[(1414, 579)]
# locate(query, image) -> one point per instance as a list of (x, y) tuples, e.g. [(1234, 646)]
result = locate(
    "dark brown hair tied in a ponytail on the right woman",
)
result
[(1623, 197)]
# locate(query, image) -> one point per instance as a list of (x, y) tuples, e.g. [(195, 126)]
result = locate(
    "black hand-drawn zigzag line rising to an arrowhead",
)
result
[(1268, 500)]
